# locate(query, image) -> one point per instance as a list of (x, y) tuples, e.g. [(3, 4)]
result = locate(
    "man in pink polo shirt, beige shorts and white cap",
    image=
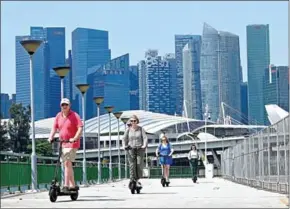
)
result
[(69, 126)]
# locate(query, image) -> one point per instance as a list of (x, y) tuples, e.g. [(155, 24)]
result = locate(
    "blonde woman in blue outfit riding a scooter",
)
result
[(164, 151)]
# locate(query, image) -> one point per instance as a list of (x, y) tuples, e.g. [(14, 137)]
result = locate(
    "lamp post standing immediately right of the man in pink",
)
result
[(83, 89)]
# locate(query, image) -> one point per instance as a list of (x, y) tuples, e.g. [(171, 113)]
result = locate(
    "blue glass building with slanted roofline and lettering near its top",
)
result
[(112, 81)]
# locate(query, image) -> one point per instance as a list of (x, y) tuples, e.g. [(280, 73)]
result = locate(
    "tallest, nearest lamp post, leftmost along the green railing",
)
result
[(31, 47)]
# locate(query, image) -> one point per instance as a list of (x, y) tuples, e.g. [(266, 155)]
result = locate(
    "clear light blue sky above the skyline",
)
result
[(135, 27)]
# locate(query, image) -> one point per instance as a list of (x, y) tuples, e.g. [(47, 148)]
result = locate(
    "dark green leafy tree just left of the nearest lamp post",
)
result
[(19, 126)]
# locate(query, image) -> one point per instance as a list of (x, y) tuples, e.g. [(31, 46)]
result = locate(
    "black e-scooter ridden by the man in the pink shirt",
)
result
[(55, 189)]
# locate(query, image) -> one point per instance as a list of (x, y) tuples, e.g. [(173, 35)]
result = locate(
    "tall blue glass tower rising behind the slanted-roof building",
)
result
[(90, 48)]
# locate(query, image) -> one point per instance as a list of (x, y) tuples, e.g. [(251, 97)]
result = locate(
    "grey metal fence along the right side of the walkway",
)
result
[(261, 160)]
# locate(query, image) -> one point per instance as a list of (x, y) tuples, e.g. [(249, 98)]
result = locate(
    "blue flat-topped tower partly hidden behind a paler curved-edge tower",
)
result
[(180, 42)]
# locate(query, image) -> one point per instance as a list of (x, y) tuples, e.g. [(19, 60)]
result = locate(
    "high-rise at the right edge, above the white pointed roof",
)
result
[(276, 87)]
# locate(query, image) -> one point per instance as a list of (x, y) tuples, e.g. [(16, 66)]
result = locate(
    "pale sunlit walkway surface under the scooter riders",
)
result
[(182, 193)]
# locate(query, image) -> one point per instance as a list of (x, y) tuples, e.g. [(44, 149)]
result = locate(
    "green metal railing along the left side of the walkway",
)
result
[(16, 172)]
